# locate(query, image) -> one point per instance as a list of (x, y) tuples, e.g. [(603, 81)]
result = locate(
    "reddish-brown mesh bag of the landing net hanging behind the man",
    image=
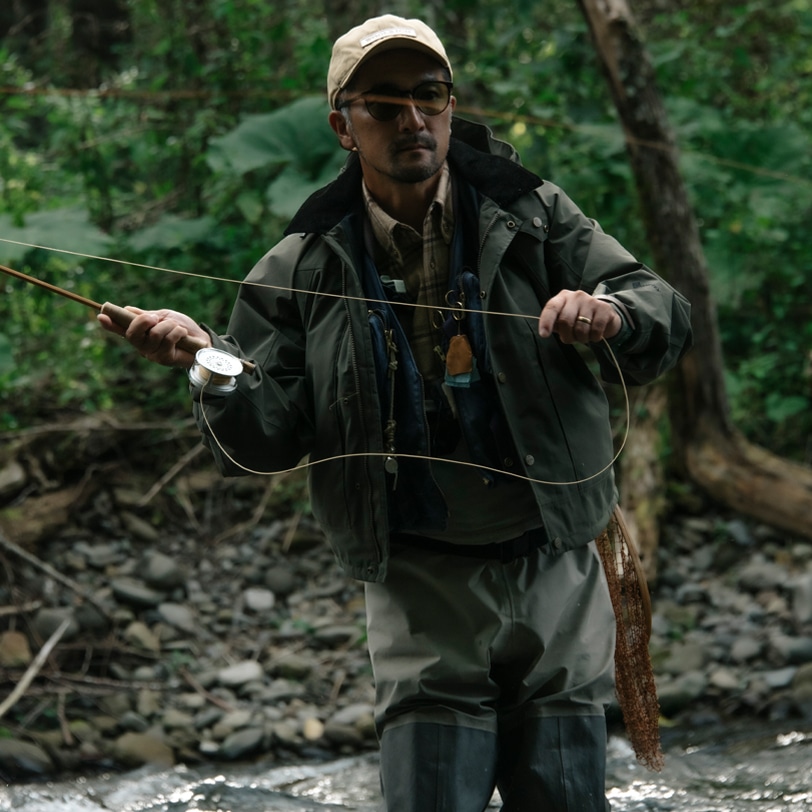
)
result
[(635, 686)]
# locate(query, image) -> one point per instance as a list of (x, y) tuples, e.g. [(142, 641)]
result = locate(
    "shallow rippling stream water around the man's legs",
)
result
[(752, 768)]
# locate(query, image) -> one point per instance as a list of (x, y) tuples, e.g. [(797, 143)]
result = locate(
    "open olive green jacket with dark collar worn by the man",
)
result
[(301, 317)]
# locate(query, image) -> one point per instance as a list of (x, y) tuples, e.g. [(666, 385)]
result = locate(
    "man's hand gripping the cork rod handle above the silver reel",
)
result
[(156, 333)]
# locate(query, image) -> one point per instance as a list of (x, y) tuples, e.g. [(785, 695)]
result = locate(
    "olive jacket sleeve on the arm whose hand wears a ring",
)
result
[(657, 318)]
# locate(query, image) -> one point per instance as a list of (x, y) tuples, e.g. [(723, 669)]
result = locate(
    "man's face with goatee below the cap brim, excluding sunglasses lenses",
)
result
[(412, 147)]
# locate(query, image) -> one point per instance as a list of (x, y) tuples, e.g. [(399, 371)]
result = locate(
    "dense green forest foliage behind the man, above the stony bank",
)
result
[(182, 134)]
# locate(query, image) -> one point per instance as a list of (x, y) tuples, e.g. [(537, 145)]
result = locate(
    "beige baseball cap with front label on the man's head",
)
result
[(374, 36)]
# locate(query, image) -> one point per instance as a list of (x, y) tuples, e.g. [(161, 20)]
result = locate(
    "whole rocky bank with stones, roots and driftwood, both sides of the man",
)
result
[(189, 619)]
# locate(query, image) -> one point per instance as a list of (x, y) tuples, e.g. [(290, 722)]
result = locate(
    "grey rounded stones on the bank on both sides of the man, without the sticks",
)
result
[(254, 647)]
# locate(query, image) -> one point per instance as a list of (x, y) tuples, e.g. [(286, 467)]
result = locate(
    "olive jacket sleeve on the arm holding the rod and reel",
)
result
[(266, 424)]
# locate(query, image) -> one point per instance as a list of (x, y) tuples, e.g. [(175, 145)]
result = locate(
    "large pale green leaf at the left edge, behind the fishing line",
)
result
[(68, 229)]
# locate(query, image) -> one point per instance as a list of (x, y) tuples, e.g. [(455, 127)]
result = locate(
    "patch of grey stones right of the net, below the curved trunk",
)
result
[(731, 632)]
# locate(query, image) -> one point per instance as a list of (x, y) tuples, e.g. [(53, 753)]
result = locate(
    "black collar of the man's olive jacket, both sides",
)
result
[(489, 165)]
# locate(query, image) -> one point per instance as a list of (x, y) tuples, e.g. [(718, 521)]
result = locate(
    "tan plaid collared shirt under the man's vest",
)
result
[(422, 262)]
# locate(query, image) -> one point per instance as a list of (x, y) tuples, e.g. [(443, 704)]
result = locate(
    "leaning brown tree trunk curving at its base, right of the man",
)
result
[(708, 447)]
